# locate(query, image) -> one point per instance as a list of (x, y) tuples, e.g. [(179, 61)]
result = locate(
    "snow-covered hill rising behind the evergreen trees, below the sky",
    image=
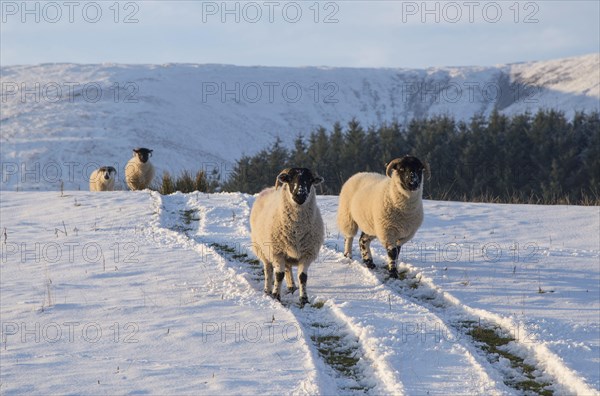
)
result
[(60, 121)]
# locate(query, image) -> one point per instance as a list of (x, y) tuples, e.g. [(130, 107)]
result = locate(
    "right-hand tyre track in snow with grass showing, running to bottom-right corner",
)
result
[(536, 363)]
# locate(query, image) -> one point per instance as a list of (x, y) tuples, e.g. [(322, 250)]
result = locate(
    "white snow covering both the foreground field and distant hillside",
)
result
[(138, 293)]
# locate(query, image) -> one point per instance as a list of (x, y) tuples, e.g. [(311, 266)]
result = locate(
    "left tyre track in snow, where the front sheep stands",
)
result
[(339, 346)]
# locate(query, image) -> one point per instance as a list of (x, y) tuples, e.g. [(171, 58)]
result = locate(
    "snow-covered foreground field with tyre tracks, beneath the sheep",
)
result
[(137, 293)]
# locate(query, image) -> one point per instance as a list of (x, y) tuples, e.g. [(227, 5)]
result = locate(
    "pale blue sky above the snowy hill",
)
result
[(408, 34)]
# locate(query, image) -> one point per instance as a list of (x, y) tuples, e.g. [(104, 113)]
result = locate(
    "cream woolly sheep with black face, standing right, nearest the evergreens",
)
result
[(387, 208)]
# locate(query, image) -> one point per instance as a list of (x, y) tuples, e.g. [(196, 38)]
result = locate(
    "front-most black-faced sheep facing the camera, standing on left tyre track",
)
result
[(287, 229)]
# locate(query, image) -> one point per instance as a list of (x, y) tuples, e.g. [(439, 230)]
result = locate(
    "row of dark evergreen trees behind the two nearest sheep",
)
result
[(541, 158)]
